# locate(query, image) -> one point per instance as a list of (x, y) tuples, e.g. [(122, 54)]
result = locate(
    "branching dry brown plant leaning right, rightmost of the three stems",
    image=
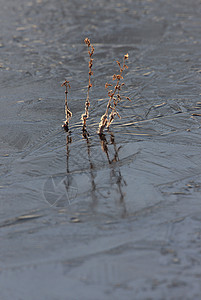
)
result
[(113, 98)]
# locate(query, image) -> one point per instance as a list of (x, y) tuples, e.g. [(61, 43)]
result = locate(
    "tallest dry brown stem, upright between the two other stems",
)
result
[(87, 103)]
